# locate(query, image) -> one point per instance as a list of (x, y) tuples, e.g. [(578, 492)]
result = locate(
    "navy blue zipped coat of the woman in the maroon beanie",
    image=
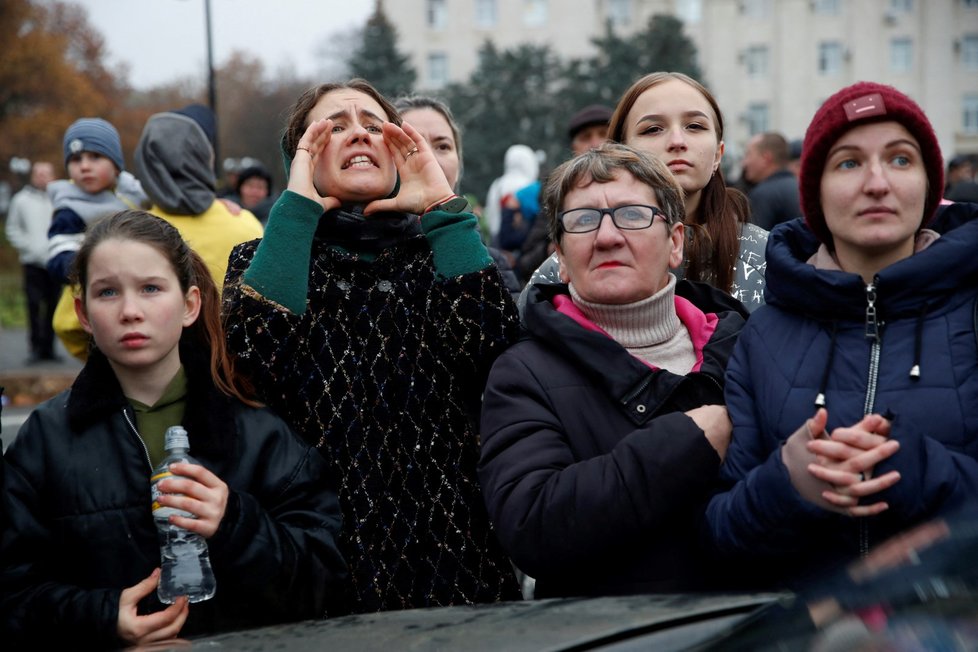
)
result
[(811, 338)]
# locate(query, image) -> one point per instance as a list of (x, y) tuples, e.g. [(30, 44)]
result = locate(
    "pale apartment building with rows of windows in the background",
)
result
[(770, 63)]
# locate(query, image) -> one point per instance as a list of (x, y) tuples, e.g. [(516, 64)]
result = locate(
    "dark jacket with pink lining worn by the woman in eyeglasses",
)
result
[(593, 476)]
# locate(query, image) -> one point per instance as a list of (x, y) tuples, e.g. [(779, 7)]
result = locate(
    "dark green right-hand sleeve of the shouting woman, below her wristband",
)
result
[(455, 243)]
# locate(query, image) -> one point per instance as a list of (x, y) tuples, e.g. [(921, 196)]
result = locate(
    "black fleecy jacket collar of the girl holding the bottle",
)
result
[(96, 395)]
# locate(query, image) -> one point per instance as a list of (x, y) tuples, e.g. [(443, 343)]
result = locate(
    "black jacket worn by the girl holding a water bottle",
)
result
[(81, 528)]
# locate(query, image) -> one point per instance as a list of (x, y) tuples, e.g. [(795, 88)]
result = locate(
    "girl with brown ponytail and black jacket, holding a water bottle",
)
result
[(79, 557)]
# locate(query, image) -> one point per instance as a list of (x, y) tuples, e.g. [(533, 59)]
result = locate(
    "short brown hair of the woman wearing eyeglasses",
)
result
[(599, 166)]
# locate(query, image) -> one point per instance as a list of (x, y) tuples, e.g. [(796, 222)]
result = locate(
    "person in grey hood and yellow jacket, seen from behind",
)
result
[(175, 162)]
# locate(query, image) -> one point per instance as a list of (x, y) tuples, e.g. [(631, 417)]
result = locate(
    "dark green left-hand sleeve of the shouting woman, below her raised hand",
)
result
[(280, 269)]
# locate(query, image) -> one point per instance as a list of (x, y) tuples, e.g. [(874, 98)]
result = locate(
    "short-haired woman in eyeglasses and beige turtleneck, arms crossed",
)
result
[(602, 433)]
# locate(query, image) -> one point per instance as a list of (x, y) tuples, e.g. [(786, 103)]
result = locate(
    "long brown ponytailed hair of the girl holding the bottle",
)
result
[(207, 331)]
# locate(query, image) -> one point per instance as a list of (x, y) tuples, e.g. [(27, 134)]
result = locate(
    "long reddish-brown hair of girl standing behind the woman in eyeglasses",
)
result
[(714, 239)]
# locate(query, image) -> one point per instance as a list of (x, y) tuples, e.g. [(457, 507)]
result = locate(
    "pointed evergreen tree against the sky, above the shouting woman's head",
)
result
[(377, 59)]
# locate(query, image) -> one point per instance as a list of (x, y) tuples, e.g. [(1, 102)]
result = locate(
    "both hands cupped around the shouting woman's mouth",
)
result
[(422, 181)]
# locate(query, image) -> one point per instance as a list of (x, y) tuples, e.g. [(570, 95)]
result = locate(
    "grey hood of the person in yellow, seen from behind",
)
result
[(175, 162)]
